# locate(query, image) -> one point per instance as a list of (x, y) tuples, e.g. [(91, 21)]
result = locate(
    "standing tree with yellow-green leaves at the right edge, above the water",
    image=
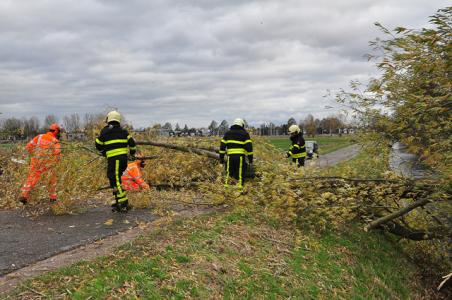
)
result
[(411, 100)]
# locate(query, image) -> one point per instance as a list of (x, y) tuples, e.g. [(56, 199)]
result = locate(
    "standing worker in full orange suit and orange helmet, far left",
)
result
[(45, 152)]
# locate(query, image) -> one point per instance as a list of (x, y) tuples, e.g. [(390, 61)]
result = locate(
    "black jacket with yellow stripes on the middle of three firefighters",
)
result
[(236, 141)]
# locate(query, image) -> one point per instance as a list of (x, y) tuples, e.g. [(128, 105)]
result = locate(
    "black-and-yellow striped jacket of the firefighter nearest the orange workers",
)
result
[(114, 140)]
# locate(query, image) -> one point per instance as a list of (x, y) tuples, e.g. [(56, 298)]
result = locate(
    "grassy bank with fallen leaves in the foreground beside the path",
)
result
[(237, 256)]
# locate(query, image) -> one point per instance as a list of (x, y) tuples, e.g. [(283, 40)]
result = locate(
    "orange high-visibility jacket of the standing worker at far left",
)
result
[(44, 148)]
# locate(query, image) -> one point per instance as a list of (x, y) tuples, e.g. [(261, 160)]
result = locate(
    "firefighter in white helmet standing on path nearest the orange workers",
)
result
[(114, 142)]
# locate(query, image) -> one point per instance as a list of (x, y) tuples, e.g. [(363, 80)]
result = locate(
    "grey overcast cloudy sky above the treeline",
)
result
[(189, 61)]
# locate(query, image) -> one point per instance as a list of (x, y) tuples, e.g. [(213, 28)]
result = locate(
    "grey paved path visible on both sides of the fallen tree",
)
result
[(24, 241)]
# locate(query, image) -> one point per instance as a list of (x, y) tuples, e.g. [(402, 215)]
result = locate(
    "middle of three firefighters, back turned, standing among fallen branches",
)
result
[(237, 145)]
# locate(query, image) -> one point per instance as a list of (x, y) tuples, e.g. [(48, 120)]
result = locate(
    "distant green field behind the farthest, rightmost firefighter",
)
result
[(326, 144)]
